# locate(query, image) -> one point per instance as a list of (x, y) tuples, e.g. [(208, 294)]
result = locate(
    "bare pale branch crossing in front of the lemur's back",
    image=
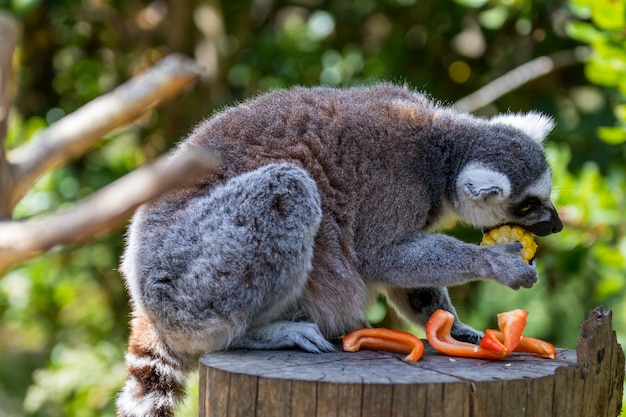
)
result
[(103, 211)]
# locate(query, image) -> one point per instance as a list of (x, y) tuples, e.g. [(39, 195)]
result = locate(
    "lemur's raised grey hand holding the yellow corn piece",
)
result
[(508, 268)]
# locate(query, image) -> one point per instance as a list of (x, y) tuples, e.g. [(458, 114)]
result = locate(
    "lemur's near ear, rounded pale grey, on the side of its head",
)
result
[(478, 182)]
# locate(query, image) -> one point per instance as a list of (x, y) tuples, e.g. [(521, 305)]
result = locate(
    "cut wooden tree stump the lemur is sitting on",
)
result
[(587, 382)]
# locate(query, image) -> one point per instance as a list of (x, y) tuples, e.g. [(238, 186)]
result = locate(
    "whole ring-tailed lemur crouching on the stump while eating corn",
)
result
[(324, 196)]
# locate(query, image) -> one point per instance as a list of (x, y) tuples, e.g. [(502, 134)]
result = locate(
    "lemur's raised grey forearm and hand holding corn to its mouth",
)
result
[(435, 260)]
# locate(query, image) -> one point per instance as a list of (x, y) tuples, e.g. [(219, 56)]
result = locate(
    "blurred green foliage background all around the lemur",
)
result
[(63, 316)]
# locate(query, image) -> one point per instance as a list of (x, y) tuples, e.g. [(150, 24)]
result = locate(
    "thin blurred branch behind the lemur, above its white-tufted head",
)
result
[(519, 76)]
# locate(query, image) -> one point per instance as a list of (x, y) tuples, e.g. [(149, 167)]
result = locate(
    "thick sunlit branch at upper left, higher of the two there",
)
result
[(75, 134)]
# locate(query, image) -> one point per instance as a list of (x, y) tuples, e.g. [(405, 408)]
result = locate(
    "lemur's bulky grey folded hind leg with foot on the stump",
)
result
[(242, 258)]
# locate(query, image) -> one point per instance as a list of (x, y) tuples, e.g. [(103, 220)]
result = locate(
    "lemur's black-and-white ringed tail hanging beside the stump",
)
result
[(156, 379)]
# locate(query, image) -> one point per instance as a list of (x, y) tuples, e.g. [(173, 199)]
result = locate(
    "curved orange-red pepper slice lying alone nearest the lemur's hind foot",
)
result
[(385, 339)]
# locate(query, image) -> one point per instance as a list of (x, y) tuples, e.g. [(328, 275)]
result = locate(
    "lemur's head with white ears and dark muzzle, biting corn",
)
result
[(508, 180)]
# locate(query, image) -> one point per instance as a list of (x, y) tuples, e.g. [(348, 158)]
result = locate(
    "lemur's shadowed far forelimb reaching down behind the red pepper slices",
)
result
[(418, 304)]
